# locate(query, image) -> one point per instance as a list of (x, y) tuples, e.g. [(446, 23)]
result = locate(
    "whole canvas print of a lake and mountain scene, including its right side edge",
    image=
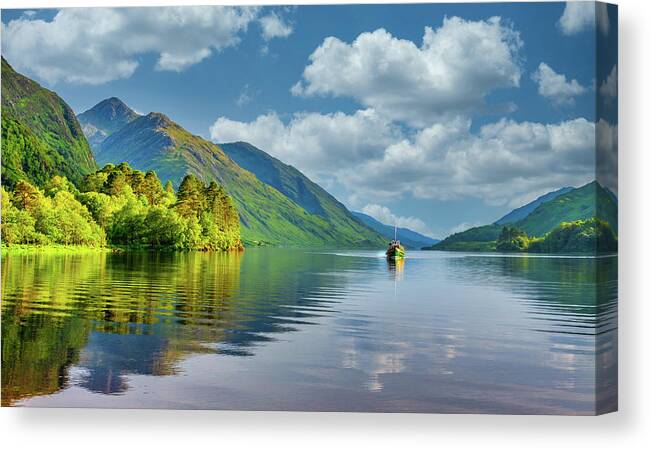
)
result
[(362, 208)]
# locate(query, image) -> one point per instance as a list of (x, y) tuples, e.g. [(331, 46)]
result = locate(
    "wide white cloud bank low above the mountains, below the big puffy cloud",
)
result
[(377, 161)]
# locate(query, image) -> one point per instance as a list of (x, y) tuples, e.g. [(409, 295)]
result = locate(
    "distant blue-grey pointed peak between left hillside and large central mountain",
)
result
[(104, 119)]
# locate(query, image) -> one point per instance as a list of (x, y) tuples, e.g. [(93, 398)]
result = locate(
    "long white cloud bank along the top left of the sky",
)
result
[(97, 45)]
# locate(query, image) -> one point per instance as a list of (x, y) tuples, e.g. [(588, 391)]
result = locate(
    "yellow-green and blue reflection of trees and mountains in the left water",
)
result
[(115, 315)]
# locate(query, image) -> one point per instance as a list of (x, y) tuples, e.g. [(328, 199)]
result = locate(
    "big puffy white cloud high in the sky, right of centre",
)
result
[(452, 71)]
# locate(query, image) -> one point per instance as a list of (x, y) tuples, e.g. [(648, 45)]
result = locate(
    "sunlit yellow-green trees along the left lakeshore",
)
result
[(120, 207)]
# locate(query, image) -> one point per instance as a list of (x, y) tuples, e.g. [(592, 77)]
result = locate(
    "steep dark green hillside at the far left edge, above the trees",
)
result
[(41, 136)]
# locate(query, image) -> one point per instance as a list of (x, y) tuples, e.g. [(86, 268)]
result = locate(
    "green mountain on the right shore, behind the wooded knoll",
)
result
[(583, 203)]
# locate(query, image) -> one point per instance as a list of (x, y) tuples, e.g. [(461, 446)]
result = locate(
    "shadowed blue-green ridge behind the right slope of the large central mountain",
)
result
[(299, 188)]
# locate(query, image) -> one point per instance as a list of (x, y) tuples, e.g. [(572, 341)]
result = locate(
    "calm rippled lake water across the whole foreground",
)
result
[(275, 329)]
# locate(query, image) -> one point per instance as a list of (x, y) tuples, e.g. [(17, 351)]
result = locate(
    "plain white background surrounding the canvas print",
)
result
[(629, 428)]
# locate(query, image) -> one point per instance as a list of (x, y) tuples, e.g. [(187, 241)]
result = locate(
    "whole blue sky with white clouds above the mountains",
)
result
[(435, 117)]
